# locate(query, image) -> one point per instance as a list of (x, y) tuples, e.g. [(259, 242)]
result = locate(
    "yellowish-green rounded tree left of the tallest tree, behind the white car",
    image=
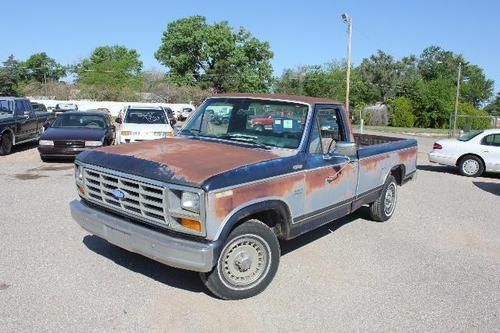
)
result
[(111, 72)]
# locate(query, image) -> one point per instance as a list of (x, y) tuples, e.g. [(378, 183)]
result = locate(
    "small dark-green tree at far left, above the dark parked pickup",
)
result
[(40, 67)]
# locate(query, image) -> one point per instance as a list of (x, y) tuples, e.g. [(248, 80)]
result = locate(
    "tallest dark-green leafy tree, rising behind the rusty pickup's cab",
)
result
[(215, 56)]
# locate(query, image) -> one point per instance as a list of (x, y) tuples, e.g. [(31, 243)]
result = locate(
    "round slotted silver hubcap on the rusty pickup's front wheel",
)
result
[(244, 262)]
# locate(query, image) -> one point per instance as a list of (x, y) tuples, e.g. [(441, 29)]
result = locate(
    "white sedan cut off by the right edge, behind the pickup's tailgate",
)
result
[(473, 153)]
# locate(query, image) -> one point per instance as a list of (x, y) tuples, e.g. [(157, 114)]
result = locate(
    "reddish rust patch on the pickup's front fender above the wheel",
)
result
[(279, 187)]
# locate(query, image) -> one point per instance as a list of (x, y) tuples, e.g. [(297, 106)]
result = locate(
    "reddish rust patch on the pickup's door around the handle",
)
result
[(317, 180)]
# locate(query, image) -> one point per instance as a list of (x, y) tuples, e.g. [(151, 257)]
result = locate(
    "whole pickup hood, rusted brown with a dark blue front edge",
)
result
[(178, 160)]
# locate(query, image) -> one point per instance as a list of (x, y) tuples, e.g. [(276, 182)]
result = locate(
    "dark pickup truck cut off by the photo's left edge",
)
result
[(19, 123)]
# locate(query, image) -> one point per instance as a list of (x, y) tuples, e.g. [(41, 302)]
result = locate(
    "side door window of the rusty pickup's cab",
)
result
[(327, 131)]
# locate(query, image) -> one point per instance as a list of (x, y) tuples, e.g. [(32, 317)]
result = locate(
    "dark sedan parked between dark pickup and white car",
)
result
[(73, 132)]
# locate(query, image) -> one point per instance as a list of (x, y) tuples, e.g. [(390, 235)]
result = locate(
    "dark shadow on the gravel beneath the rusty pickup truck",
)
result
[(187, 280)]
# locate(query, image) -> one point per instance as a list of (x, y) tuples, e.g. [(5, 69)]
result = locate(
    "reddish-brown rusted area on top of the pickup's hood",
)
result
[(192, 160)]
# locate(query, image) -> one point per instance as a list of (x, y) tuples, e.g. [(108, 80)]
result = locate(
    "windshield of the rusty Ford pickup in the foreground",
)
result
[(262, 123)]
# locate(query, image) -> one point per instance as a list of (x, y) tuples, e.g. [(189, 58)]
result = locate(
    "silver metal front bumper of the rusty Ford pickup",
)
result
[(172, 251)]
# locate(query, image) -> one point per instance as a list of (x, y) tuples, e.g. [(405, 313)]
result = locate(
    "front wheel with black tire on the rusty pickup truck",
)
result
[(247, 263)]
